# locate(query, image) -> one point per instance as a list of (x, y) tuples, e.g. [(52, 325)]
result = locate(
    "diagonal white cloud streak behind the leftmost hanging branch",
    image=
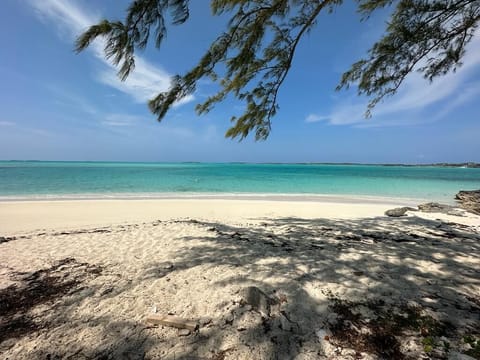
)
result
[(146, 80)]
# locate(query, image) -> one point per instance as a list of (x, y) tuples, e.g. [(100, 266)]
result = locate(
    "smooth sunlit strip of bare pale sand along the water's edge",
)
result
[(24, 216)]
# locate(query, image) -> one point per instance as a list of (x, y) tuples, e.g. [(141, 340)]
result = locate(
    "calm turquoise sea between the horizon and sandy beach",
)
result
[(60, 179)]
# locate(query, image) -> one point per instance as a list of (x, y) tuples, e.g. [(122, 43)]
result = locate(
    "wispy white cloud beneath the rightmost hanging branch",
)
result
[(416, 94)]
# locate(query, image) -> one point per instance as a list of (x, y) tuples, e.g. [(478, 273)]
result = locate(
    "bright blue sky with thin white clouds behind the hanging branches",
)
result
[(56, 105)]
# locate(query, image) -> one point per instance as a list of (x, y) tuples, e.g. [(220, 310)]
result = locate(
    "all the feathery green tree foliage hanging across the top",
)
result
[(252, 57)]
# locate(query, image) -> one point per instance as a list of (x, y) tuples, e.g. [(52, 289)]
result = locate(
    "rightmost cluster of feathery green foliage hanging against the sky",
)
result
[(425, 35)]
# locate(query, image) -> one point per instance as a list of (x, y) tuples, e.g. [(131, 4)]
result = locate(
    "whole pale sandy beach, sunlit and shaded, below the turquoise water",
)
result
[(263, 279)]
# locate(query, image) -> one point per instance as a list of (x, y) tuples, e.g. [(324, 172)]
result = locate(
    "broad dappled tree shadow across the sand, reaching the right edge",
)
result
[(387, 288)]
